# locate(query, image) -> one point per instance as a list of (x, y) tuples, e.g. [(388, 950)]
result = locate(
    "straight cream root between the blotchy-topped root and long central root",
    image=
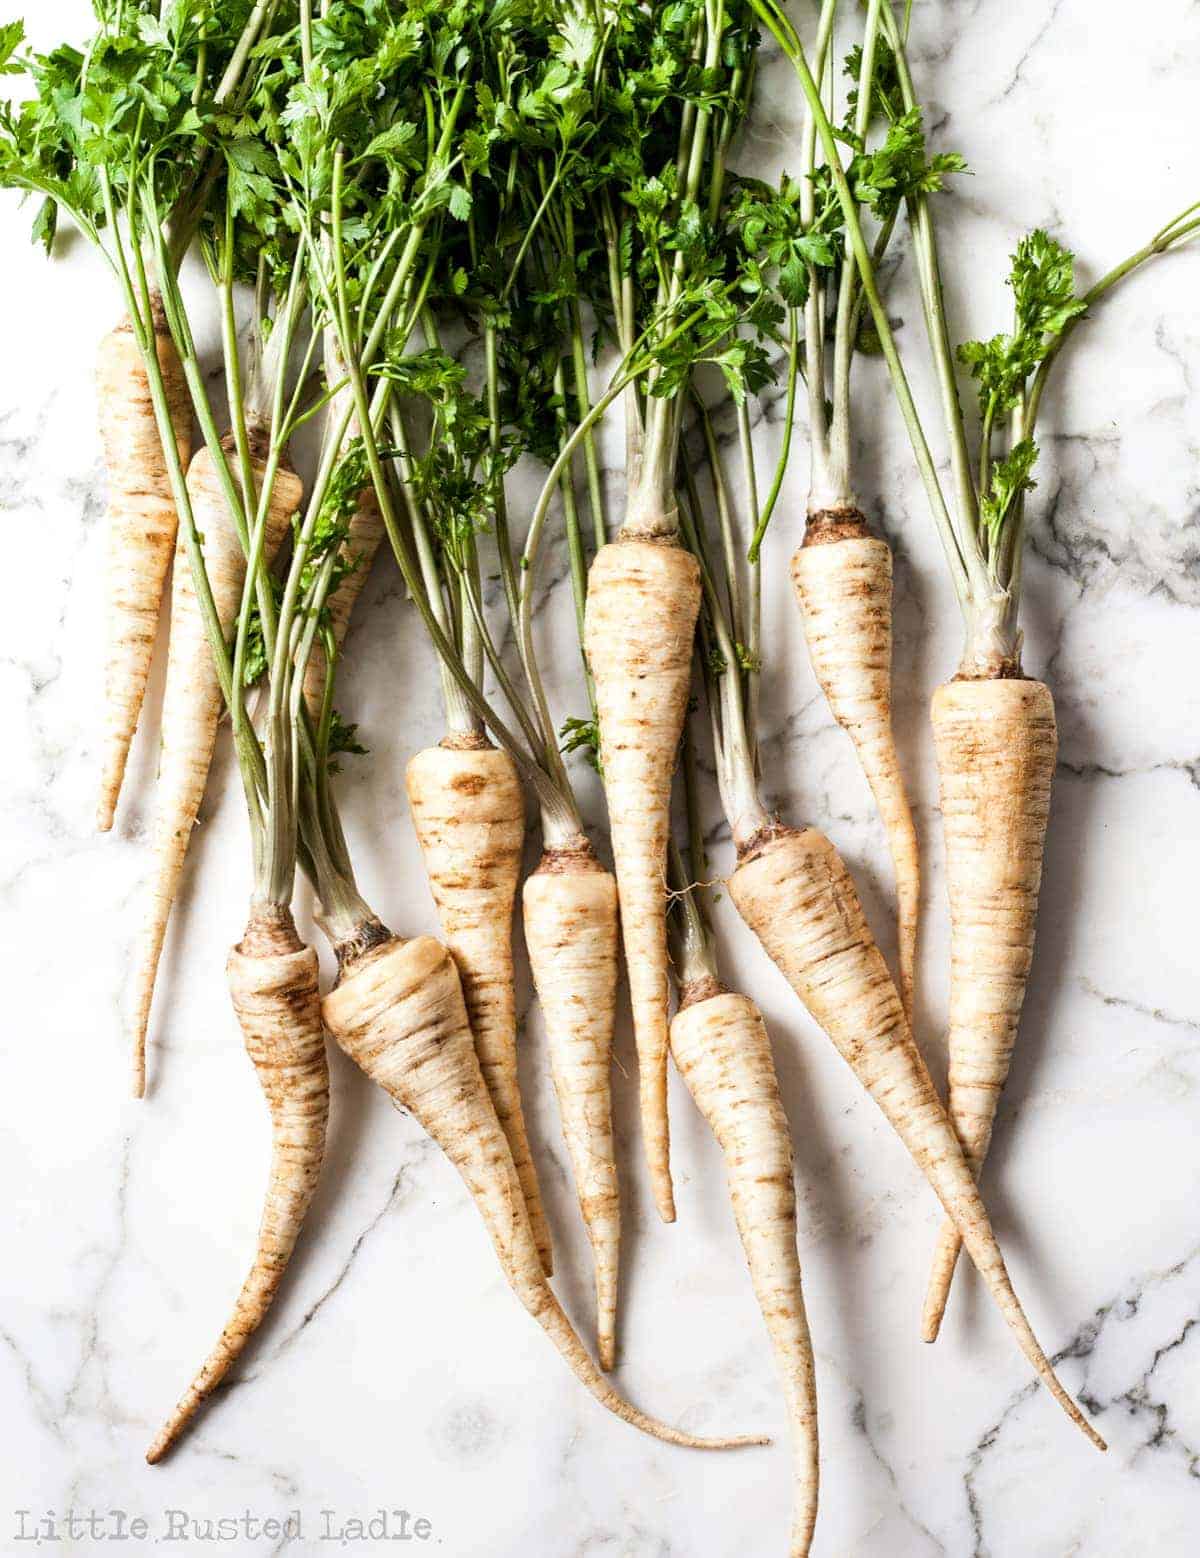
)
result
[(571, 936)]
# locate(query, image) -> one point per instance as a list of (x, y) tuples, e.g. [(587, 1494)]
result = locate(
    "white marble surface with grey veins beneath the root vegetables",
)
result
[(397, 1370)]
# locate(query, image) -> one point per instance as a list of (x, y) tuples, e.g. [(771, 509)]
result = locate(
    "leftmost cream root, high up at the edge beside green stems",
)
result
[(141, 530)]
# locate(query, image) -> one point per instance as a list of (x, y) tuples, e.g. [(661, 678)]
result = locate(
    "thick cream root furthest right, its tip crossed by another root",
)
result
[(997, 747)]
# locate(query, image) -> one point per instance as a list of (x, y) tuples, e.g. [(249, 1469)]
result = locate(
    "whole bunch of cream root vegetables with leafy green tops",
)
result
[(443, 225)]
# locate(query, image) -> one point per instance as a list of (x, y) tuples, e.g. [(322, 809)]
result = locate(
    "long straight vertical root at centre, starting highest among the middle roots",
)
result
[(643, 605)]
